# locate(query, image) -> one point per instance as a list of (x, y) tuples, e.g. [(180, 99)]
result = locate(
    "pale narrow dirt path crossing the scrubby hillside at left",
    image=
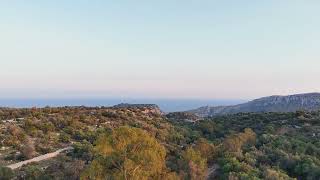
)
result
[(39, 158)]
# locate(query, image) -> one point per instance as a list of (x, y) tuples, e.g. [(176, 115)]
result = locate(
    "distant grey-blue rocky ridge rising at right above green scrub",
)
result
[(307, 102)]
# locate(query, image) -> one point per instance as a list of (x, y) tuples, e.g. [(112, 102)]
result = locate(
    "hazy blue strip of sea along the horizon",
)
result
[(166, 105)]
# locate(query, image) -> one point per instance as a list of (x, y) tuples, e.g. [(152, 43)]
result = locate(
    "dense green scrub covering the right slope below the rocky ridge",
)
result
[(286, 144)]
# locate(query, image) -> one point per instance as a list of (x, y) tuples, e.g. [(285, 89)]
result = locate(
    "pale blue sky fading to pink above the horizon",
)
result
[(205, 49)]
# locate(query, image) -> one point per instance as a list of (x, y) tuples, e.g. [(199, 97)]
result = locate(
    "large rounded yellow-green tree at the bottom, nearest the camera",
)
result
[(127, 153)]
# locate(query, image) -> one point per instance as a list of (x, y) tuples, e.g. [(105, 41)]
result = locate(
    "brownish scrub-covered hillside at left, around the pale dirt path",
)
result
[(32, 132)]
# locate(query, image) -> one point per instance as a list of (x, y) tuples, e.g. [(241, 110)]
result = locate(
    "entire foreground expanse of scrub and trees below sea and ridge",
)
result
[(141, 143)]
